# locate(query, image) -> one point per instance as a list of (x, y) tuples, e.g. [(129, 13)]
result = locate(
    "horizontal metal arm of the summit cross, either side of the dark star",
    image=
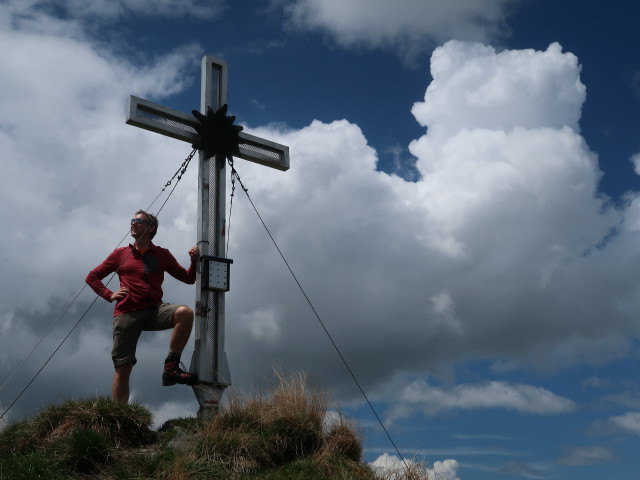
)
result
[(181, 126)]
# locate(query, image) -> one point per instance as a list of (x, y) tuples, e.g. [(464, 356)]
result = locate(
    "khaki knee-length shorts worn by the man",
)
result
[(128, 327)]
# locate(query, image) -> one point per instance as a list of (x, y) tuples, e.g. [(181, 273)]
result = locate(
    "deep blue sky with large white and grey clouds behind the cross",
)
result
[(462, 208)]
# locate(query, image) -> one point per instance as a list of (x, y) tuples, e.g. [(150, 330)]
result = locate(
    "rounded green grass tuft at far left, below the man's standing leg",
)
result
[(78, 437)]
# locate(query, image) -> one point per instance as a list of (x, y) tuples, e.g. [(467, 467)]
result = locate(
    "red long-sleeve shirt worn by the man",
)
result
[(142, 274)]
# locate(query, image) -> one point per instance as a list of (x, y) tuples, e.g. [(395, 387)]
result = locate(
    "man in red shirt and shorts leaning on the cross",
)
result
[(139, 306)]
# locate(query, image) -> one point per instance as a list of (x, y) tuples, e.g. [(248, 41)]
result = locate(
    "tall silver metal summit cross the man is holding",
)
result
[(209, 359)]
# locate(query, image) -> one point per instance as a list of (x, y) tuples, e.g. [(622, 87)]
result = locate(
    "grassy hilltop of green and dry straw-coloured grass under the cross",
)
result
[(262, 437)]
